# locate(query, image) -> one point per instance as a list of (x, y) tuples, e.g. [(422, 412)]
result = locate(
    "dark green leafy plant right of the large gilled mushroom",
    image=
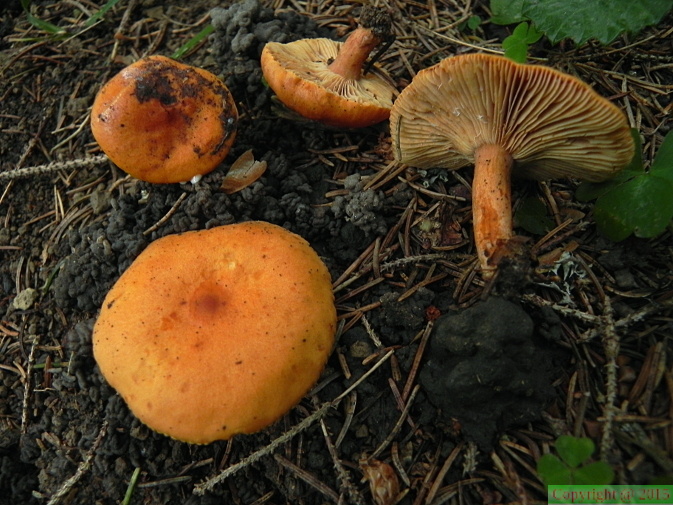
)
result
[(636, 201)]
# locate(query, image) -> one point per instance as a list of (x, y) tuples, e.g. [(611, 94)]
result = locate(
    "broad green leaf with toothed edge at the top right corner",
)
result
[(604, 20)]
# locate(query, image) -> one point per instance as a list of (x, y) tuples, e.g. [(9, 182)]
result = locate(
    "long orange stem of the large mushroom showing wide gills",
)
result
[(491, 204)]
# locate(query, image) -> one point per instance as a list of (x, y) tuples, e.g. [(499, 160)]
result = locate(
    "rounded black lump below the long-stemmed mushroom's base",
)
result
[(485, 370)]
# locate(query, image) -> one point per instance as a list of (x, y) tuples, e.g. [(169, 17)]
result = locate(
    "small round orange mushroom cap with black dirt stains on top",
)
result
[(163, 121)]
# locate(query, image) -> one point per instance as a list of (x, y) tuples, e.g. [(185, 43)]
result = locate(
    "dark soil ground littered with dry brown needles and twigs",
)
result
[(579, 343)]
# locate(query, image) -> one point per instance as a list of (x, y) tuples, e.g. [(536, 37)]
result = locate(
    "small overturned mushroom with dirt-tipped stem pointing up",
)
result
[(323, 79)]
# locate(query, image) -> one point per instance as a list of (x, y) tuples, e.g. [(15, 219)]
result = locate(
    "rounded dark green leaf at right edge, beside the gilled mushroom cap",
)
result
[(642, 206)]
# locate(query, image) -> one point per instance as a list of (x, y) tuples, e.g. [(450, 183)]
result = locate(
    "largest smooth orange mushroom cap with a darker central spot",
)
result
[(213, 333)]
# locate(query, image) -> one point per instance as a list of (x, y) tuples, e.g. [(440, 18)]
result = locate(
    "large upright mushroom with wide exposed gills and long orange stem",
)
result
[(505, 118)]
